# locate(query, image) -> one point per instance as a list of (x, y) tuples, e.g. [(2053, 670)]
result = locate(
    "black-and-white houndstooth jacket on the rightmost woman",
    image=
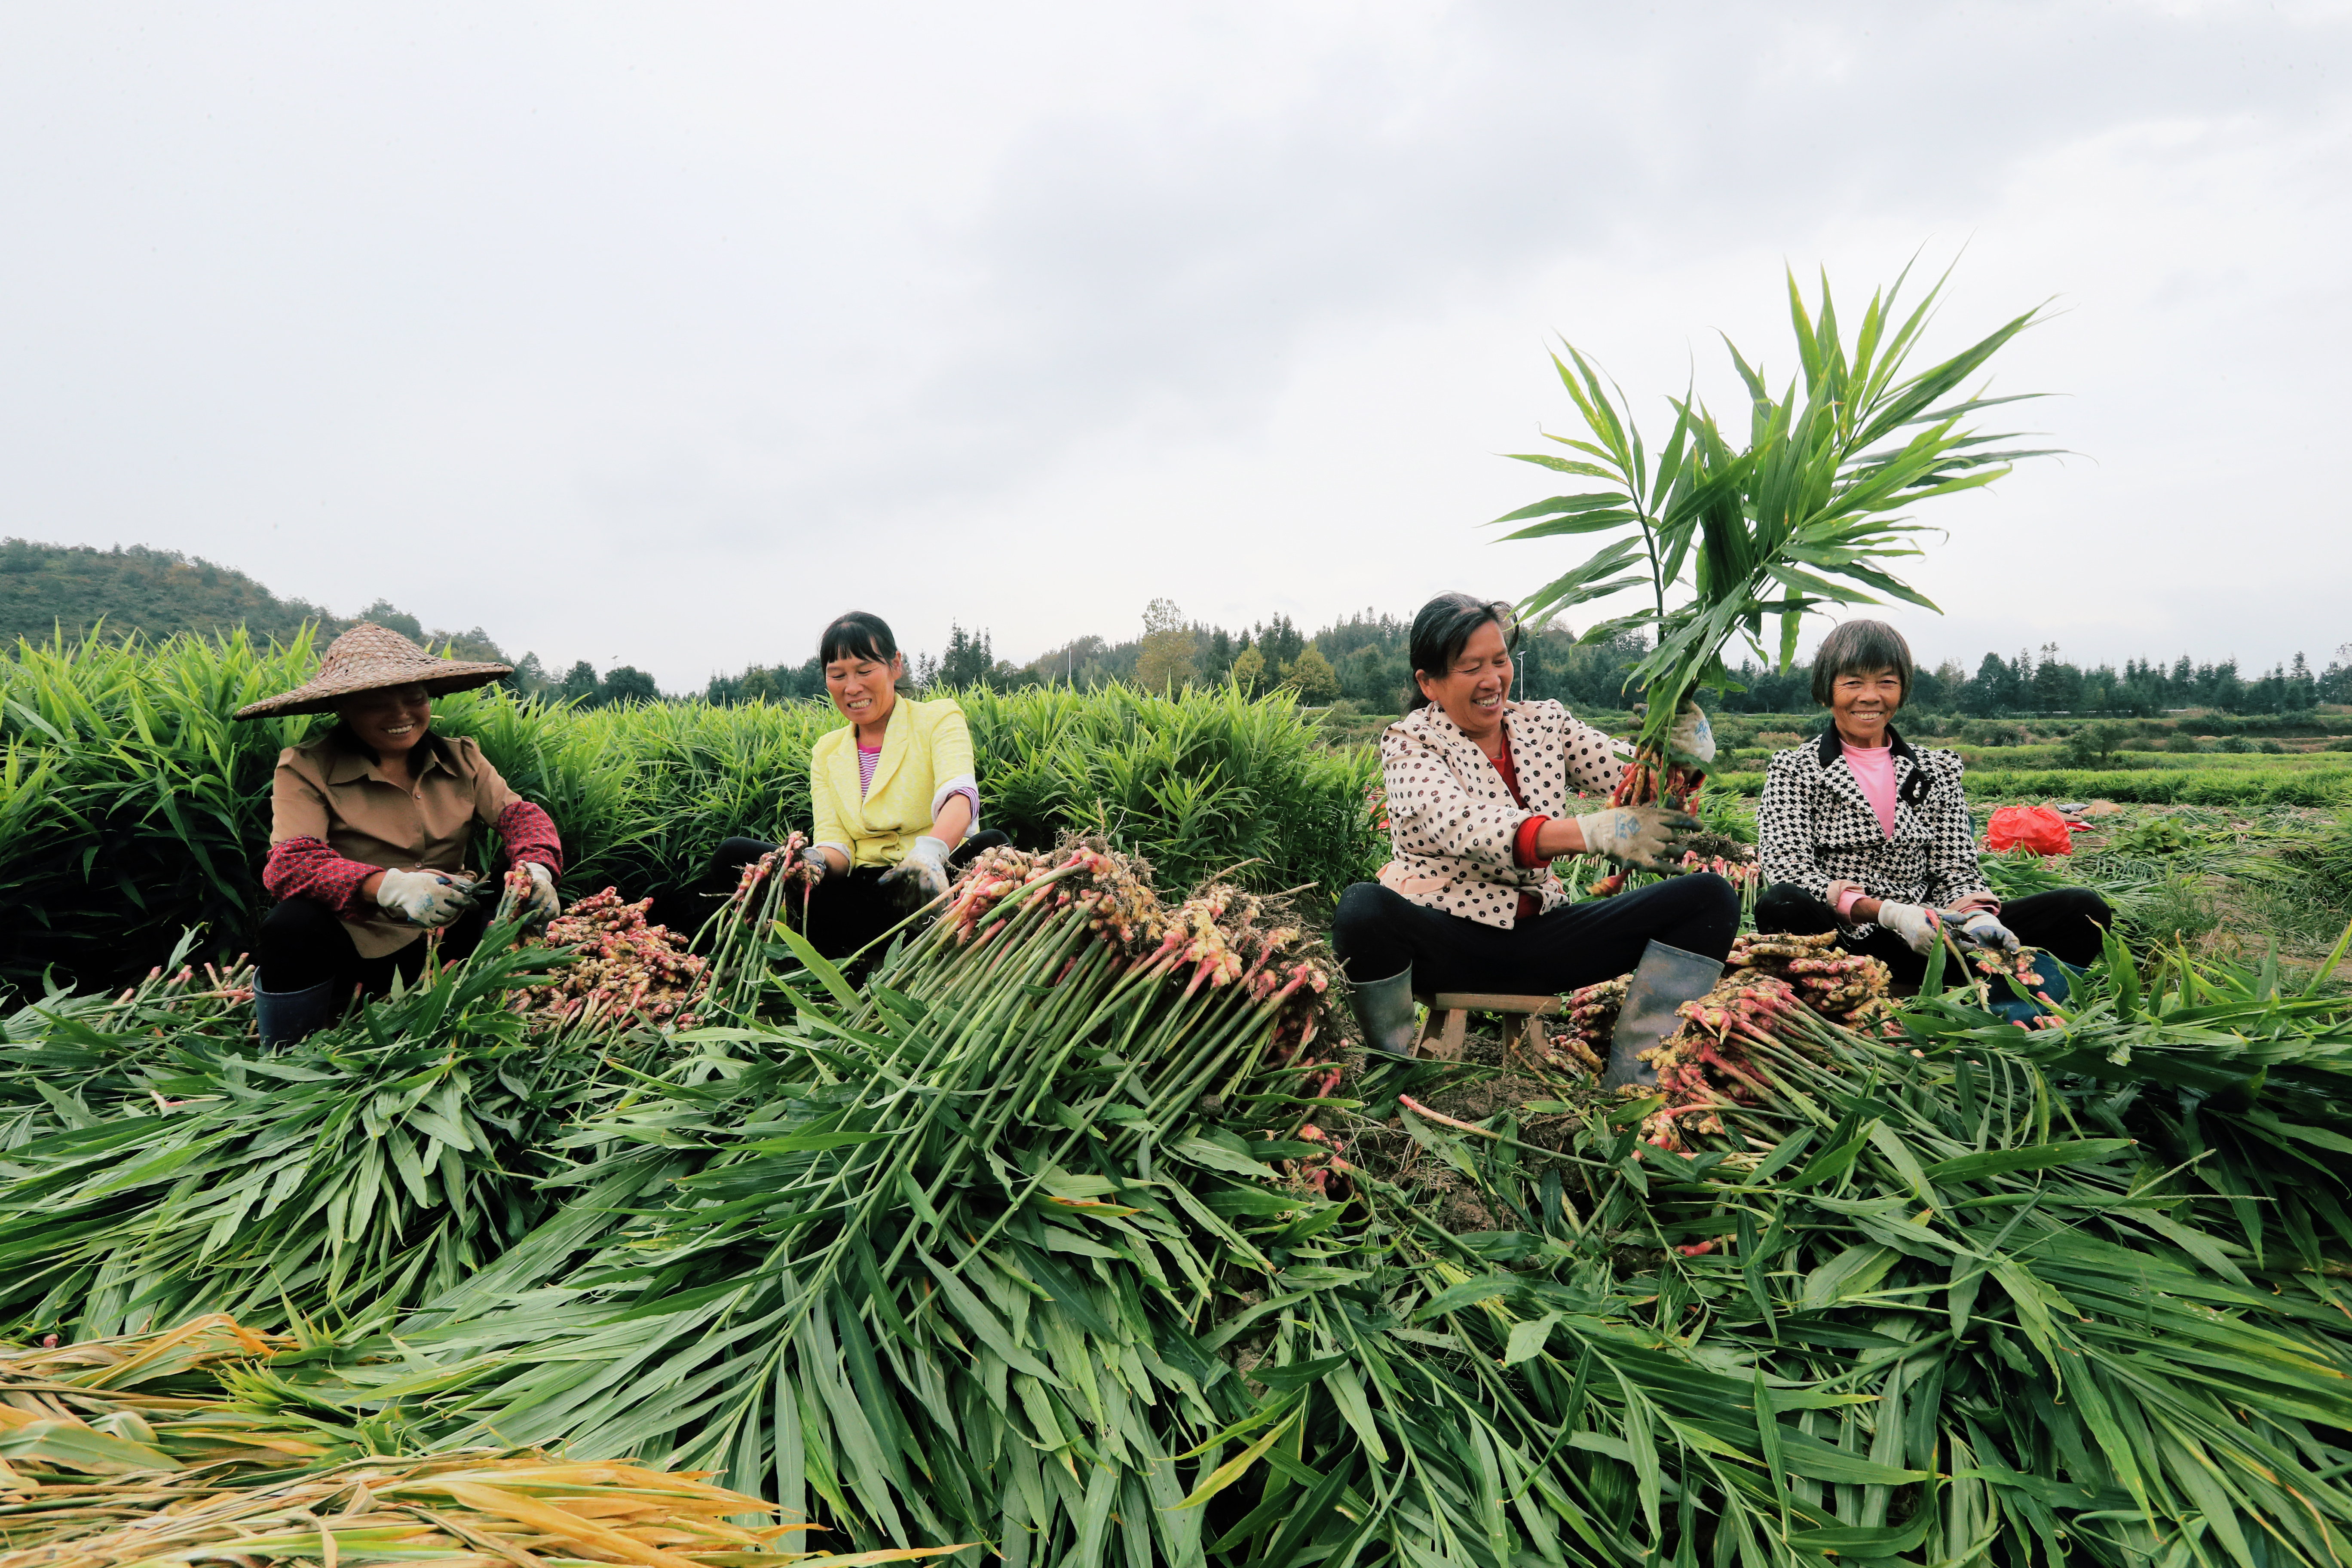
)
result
[(1817, 826)]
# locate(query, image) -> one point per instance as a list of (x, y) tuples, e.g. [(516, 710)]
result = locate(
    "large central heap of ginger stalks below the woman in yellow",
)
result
[(923, 1249)]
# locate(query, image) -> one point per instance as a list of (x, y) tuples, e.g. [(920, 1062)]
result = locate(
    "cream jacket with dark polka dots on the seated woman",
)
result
[(1452, 822)]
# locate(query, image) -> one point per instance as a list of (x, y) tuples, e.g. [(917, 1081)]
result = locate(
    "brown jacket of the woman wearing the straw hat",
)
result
[(335, 793)]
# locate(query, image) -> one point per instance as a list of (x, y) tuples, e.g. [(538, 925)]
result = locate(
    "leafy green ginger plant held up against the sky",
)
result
[(1808, 514)]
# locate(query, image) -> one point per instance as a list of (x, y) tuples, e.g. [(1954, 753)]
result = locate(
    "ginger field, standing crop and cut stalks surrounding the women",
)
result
[(1081, 1233)]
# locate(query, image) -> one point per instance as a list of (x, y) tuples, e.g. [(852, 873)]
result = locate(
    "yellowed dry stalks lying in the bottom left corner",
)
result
[(185, 1447)]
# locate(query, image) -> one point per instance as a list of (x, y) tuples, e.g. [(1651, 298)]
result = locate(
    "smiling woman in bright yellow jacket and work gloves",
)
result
[(895, 798)]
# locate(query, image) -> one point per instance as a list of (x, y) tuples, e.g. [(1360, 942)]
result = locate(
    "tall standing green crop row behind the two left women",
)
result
[(133, 805)]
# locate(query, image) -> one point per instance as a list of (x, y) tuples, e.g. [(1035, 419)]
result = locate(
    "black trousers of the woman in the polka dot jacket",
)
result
[(1379, 932)]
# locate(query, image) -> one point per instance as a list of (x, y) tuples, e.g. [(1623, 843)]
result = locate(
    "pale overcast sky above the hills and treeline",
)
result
[(667, 333)]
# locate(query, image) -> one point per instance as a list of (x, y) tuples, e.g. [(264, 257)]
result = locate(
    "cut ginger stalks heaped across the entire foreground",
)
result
[(1041, 1238)]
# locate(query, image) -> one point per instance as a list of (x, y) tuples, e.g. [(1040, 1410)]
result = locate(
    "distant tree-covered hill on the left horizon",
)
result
[(131, 589)]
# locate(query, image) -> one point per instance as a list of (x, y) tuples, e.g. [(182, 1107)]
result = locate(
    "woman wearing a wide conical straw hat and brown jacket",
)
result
[(370, 826)]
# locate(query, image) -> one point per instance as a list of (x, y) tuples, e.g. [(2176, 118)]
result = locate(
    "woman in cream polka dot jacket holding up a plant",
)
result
[(1478, 810)]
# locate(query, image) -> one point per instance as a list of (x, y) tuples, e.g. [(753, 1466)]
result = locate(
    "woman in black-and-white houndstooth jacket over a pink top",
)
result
[(1873, 840)]
